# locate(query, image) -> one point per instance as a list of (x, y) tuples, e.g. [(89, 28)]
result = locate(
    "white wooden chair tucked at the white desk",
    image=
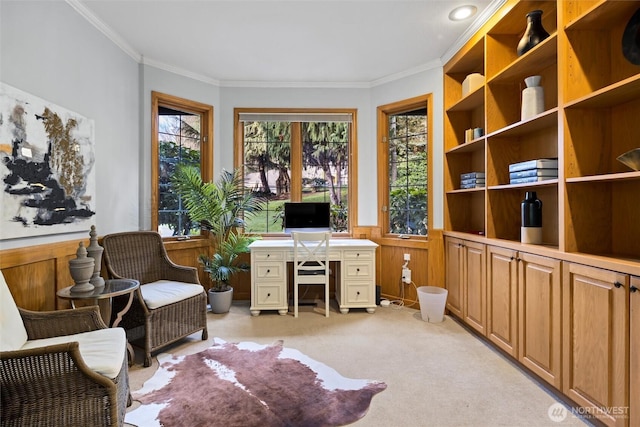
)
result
[(310, 263)]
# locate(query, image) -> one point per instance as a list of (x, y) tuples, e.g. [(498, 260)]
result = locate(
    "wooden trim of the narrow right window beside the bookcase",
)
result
[(383, 113)]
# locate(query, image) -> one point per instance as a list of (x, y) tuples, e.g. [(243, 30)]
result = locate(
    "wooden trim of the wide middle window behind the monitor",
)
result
[(296, 172)]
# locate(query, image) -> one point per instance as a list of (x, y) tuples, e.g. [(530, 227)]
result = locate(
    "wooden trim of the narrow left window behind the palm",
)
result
[(159, 99)]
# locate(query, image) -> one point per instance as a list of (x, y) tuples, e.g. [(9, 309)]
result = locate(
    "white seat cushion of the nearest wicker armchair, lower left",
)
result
[(102, 350)]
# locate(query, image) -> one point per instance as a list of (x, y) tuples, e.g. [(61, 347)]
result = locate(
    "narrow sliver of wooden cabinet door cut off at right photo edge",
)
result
[(634, 352)]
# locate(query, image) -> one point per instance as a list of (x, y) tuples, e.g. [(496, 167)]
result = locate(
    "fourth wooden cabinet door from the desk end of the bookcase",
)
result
[(539, 316)]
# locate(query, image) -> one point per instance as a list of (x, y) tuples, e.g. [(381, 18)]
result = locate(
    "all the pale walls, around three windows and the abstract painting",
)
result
[(50, 51)]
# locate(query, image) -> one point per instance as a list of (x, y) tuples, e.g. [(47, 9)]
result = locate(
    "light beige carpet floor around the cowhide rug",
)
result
[(437, 374)]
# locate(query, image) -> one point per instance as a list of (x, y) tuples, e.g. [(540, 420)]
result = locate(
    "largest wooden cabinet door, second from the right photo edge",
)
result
[(595, 338)]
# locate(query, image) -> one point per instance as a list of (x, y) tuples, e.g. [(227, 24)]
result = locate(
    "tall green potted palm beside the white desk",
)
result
[(220, 208)]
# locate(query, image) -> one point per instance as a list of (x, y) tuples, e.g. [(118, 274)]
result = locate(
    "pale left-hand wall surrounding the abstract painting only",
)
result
[(50, 51)]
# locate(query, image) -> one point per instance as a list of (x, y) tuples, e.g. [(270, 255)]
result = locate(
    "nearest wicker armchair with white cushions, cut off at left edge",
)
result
[(51, 382)]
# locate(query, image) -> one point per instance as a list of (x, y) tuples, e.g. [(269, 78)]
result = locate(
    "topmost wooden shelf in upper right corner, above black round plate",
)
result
[(603, 16)]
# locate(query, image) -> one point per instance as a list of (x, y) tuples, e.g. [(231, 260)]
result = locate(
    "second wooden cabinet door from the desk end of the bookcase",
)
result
[(474, 286)]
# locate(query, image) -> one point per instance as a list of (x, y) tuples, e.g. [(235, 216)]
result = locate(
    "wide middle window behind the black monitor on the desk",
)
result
[(298, 155)]
